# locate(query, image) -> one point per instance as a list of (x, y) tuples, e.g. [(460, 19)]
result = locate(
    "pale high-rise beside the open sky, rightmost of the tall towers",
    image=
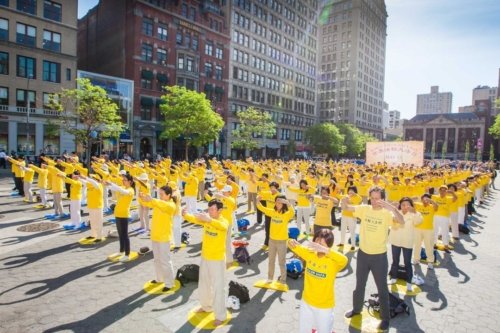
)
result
[(352, 38)]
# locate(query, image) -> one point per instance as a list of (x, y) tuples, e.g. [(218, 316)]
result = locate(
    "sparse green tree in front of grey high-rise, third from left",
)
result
[(252, 121)]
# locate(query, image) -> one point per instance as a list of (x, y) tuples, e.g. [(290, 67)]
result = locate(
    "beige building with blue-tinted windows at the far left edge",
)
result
[(37, 58)]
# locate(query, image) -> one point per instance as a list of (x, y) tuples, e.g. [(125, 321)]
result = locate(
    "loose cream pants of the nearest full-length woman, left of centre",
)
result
[(212, 287)]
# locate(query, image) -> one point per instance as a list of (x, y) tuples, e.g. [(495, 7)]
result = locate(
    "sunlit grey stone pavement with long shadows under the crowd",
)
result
[(50, 283)]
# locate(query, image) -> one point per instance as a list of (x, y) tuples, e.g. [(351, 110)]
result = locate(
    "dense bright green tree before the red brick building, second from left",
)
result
[(189, 114)]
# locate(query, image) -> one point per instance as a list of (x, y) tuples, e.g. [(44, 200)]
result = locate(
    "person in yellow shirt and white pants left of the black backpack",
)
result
[(161, 234)]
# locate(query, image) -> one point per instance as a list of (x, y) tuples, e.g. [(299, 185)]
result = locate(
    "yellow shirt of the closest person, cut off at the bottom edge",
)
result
[(320, 274)]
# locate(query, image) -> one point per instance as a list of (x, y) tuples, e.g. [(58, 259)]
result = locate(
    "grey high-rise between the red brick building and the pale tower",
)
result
[(273, 67)]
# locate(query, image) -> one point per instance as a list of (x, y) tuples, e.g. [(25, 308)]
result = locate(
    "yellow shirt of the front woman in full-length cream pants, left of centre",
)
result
[(214, 237)]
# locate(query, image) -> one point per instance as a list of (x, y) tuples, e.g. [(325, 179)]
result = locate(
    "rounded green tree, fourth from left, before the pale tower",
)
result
[(325, 138)]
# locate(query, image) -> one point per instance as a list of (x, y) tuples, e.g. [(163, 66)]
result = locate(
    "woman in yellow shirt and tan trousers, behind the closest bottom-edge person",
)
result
[(279, 216)]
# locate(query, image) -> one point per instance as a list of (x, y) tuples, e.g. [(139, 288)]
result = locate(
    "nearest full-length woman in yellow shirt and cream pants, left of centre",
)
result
[(212, 281)]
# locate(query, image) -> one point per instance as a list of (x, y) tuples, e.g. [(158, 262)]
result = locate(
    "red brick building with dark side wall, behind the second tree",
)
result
[(157, 43)]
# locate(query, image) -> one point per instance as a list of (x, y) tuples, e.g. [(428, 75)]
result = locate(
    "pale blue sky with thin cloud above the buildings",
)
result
[(454, 44)]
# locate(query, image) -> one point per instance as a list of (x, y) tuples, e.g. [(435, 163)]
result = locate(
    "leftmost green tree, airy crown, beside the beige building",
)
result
[(86, 111)]
